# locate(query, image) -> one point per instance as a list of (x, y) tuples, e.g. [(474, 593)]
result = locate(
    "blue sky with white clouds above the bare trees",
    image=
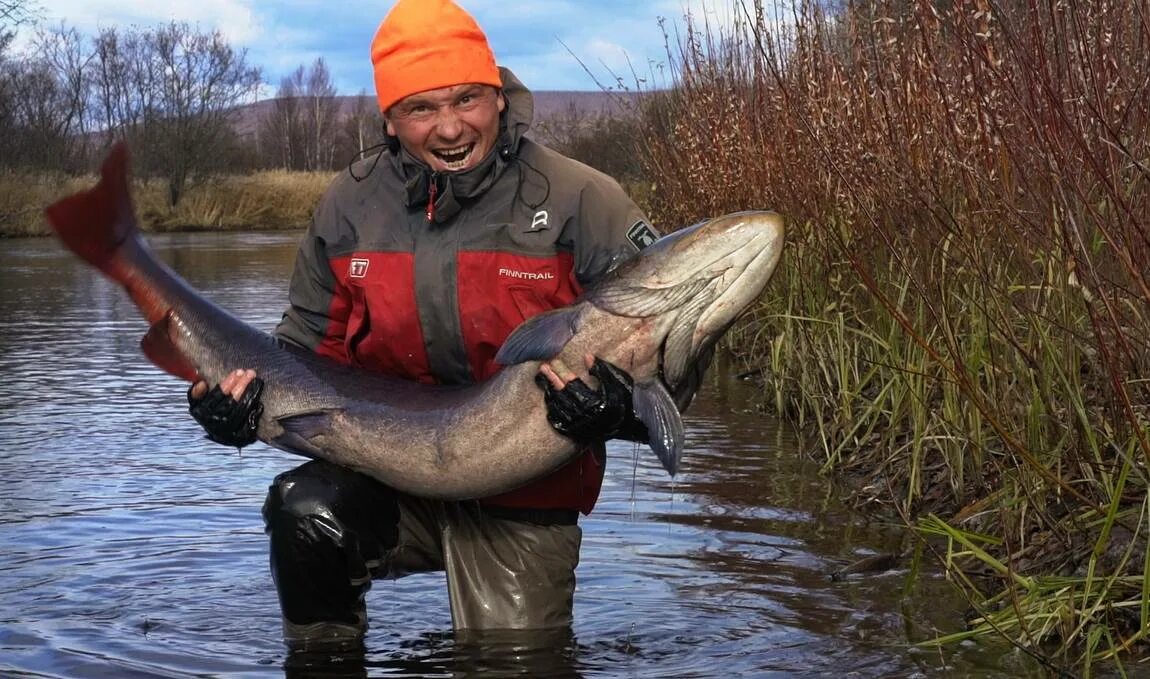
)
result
[(549, 44)]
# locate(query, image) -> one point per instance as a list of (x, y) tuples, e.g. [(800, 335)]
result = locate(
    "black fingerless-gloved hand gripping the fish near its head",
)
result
[(587, 415)]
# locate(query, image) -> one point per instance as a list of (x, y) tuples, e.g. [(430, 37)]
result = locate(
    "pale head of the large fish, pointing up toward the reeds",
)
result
[(695, 283)]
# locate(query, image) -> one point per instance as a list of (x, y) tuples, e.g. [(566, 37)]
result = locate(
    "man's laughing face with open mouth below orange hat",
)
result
[(451, 129)]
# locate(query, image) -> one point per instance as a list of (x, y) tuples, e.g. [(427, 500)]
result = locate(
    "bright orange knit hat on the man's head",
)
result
[(430, 44)]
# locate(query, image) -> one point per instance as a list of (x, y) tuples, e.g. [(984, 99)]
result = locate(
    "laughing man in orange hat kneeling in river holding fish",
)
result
[(419, 264)]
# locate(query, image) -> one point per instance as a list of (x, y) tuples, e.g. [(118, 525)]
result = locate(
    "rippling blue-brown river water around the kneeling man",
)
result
[(132, 547)]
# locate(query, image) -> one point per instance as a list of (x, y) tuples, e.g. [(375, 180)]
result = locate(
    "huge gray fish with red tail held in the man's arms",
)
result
[(653, 316)]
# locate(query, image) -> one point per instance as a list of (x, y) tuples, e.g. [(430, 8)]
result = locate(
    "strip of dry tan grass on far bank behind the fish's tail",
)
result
[(265, 201)]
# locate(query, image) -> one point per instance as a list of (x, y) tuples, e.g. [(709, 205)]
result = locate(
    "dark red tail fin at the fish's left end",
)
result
[(95, 224)]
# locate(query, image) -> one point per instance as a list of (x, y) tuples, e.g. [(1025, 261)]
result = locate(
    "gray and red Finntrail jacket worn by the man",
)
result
[(380, 286)]
